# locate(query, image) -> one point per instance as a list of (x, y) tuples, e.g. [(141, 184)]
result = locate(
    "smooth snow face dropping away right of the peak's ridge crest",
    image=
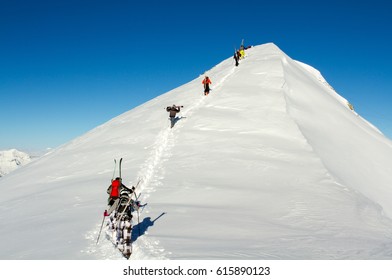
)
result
[(353, 150)]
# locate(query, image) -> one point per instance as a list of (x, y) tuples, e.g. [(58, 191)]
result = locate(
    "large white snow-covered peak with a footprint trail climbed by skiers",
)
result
[(271, 165)]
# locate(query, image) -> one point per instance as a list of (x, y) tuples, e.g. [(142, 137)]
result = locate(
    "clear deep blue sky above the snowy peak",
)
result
[(67, 66)]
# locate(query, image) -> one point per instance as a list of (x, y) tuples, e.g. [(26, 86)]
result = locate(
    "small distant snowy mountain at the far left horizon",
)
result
[(11, 160)]
